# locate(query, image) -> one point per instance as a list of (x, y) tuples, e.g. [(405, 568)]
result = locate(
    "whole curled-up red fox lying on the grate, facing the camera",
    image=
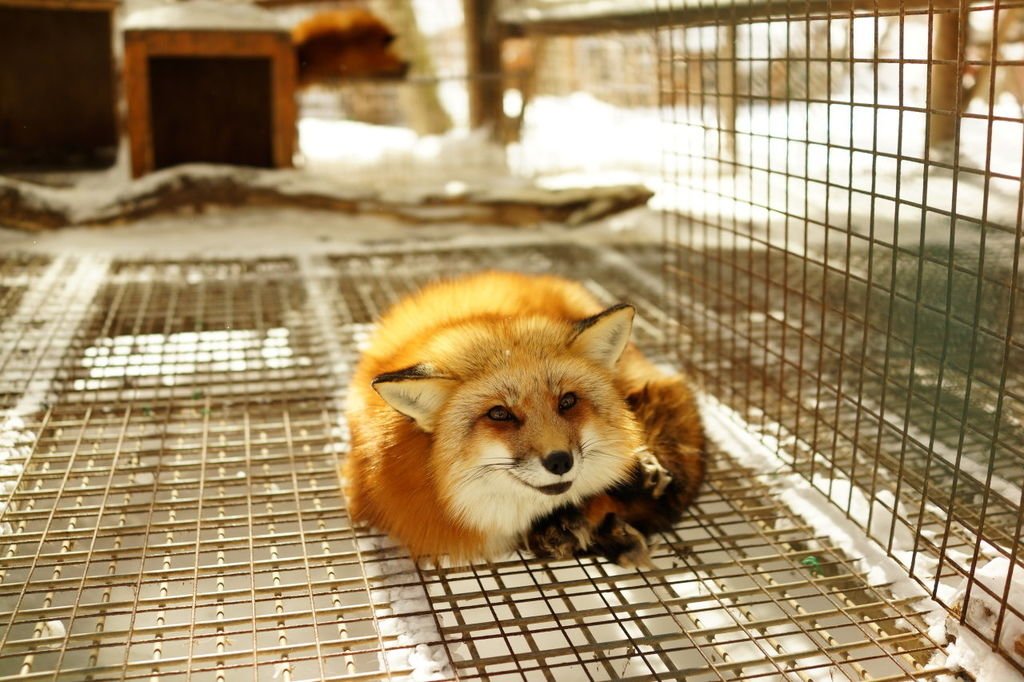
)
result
[(501, 410)]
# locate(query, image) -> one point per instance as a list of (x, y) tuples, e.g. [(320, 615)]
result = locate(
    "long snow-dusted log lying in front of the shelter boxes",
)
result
[(202, 187)]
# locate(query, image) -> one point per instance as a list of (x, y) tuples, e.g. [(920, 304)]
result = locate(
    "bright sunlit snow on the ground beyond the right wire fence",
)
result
[(820, 162)]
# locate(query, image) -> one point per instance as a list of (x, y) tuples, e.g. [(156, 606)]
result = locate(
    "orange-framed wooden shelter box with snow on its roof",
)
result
[(209, 94)]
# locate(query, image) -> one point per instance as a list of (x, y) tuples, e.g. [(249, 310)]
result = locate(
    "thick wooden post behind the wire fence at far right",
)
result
[(949, 38)]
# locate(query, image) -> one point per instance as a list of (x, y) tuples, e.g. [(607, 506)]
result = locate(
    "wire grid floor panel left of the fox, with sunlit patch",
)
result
[(177, 511)]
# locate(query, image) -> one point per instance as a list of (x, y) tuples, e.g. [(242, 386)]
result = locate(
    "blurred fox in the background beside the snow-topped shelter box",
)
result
[(346, 44)]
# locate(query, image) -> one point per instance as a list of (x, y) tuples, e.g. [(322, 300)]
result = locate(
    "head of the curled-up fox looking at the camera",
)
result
[(524, 414)]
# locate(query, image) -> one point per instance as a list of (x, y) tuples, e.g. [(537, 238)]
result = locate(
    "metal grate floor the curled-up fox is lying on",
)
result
[(172, 511)]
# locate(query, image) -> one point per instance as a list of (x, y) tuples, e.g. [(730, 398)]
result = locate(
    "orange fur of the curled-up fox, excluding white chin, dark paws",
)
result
[(501, 339)]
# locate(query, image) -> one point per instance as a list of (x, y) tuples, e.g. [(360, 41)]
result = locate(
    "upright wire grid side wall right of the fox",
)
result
[(845, 193)]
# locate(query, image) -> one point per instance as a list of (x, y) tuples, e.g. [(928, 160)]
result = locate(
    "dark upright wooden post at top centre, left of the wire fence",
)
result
[(484, 57)]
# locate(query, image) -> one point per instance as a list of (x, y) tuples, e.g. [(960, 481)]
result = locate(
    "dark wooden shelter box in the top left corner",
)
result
[(58, 94)]
